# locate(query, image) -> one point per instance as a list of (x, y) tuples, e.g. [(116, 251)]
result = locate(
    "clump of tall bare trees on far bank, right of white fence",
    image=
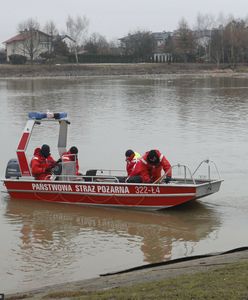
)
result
[(223, 41)]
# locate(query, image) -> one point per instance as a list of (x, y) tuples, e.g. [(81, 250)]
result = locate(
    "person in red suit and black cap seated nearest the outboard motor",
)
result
[(42, 163)]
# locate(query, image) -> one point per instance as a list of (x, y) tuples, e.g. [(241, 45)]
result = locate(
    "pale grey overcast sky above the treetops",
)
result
[(115, 18)]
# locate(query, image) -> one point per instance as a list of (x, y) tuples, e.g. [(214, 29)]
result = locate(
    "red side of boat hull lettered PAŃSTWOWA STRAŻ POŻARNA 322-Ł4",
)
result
[(152, 197)]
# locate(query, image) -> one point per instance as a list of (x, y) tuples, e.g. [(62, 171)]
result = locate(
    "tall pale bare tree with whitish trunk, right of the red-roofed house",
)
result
[(77, 29)]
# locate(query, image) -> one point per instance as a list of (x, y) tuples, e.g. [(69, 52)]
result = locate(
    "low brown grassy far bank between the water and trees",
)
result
[(70, 70)]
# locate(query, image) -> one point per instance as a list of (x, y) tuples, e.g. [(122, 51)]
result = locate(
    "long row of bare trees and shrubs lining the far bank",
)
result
[(221, 41)]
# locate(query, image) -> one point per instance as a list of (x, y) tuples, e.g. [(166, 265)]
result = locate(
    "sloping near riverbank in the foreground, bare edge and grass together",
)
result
[(222, 276)]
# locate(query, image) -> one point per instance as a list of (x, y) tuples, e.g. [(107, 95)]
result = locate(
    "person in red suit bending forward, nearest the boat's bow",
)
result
[(148, 168)]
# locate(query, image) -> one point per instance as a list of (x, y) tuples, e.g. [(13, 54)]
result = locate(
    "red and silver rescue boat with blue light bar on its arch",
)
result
[(99, 187)]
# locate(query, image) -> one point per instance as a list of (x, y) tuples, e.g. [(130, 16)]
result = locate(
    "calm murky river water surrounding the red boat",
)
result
[(189, 118)]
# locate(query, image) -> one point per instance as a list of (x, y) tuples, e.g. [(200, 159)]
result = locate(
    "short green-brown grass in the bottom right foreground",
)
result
[(229, 282)]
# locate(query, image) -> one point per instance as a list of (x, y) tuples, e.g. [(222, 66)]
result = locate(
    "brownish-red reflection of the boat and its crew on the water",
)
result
[(43, 223)]
